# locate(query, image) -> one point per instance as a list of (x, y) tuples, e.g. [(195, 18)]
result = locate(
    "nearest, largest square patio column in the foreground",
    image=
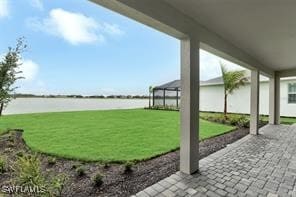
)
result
[(189, 145)]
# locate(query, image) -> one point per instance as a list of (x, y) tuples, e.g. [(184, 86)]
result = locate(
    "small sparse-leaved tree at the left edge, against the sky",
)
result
[(9, 73)]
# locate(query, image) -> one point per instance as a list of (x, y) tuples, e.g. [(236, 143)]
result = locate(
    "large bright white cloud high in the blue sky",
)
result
[(75, 28)]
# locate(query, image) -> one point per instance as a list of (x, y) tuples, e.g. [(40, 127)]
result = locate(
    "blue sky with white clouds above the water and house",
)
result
[(78, 47)]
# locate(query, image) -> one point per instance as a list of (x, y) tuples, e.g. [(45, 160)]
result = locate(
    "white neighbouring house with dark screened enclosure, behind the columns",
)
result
[(212, 95)]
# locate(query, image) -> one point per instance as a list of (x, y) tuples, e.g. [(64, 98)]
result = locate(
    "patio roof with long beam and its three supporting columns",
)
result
[(259, 35)]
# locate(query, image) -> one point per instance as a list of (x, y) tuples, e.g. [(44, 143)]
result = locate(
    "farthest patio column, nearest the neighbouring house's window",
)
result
[(274, 100)]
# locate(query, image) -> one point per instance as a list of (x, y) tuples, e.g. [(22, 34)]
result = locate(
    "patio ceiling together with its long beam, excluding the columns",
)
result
[(254, 34)]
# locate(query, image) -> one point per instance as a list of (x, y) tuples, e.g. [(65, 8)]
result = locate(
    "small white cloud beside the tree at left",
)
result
[(29, 70)]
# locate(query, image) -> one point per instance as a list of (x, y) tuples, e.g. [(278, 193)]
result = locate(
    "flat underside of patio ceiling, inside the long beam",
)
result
[(265, 29)]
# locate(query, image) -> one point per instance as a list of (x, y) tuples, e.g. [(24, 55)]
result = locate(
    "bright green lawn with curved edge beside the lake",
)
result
[(113, 135)]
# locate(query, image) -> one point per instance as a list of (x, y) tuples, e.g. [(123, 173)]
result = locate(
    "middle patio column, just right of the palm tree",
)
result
[(254, 116)]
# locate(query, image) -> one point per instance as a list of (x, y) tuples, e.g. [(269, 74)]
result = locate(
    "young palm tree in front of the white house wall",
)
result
[(232, 81)]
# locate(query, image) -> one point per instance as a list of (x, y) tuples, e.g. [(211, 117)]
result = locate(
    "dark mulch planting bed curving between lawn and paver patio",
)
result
[(117, 179)]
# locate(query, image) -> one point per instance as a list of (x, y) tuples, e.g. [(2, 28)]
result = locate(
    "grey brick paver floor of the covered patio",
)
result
[(263, 165)]
